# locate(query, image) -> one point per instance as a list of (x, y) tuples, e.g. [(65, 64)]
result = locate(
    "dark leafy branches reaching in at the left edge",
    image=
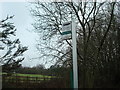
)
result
[(13, 49)]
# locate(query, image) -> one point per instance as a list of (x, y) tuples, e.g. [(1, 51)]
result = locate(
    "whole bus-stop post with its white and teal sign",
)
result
[(67, 28)]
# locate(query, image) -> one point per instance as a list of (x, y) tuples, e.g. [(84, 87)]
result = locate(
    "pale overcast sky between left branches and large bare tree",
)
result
[(22, 20)]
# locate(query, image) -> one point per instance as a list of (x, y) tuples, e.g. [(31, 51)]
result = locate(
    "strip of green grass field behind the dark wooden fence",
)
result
[(26, 78)]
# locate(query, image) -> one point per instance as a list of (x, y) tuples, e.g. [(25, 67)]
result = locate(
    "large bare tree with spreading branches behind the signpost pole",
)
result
[(94, 24)]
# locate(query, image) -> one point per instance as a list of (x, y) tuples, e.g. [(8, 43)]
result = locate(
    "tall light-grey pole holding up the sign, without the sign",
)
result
[(74, 53)]
